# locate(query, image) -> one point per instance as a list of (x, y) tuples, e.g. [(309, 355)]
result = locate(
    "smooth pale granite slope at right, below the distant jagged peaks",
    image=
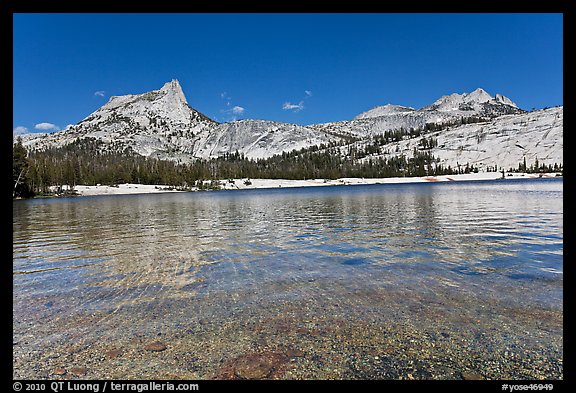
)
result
[(503, 141)]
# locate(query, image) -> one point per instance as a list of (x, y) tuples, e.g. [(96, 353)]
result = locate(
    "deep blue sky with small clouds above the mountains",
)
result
[(297, 68)]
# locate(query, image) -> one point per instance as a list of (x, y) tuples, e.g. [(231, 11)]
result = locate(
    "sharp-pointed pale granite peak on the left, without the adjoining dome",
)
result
[(150, 124)]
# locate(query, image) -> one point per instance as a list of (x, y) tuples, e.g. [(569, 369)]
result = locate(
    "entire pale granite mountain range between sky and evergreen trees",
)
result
[(475, 128)]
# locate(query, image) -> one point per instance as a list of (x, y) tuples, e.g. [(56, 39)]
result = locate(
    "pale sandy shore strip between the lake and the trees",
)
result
[(241, 184)]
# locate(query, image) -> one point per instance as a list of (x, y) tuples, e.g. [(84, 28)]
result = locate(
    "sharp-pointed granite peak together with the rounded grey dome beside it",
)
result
[(161, 124)]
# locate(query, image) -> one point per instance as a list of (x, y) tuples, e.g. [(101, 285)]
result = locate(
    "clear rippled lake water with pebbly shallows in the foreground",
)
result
[(412, 281)]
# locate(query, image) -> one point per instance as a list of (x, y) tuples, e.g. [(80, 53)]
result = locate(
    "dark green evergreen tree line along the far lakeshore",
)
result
[(86, 162)]
